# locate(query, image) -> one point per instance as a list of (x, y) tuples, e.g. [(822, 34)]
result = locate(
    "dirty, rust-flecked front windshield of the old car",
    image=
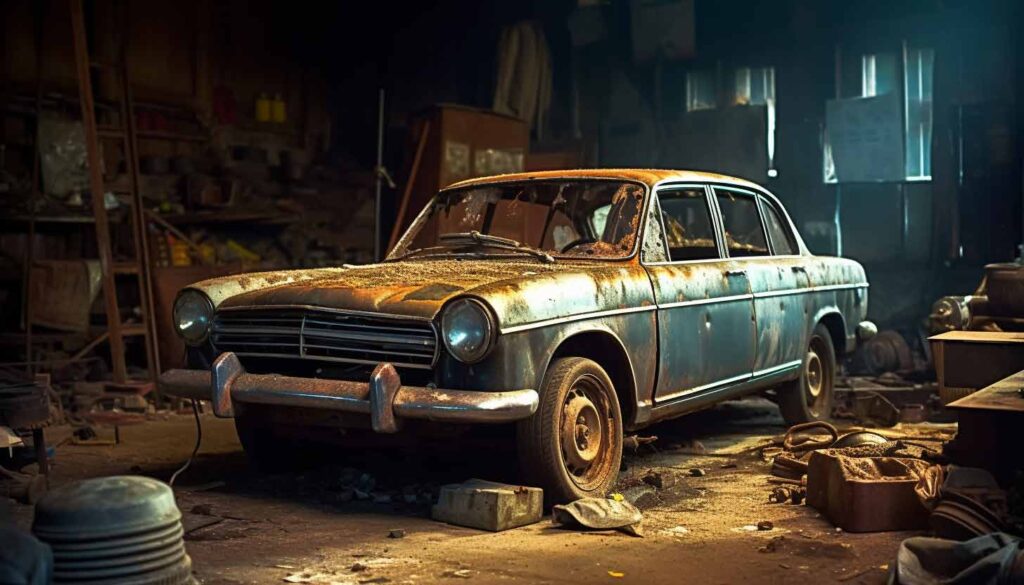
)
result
[(572, 219)]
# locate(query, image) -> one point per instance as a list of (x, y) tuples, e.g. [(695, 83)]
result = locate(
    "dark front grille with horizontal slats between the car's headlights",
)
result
[(325, 336)]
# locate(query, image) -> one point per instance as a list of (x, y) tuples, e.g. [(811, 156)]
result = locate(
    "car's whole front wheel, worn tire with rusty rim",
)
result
[(567, 462)]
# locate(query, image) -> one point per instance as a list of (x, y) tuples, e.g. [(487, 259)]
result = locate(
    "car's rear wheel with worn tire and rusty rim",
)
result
[(810, 397)]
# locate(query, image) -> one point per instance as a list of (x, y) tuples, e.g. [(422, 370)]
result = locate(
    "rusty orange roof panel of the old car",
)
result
[(651, 178)]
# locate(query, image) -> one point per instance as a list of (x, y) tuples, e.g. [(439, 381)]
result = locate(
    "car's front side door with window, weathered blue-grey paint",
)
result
[(705, 308)]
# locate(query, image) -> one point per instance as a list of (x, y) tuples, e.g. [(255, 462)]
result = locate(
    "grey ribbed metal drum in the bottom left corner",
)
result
[(124, 530)]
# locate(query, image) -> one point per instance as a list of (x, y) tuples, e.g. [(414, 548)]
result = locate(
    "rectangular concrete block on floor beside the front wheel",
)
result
[(488, 506)]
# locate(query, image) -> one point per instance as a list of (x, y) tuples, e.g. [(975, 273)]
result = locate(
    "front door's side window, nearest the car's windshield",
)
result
[(689, 229)]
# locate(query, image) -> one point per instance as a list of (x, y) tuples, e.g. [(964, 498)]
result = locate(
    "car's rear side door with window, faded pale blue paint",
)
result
[(761, 234)]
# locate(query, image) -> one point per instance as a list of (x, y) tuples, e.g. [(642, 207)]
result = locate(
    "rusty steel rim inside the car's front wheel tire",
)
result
[(586, 433)]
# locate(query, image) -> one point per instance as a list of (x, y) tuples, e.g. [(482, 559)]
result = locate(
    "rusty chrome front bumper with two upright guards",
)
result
[(385, 399)]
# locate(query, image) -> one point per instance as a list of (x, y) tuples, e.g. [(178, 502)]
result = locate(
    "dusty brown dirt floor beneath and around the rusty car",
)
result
[(314, 527)]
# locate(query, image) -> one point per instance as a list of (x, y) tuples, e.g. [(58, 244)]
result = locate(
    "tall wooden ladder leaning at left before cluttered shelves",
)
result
[(122, 134)]
